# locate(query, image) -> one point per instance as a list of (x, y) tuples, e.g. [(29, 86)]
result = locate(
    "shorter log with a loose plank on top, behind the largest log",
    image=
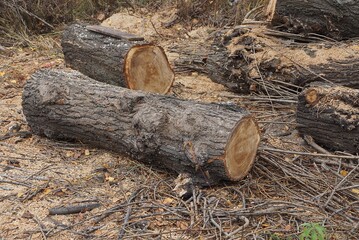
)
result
[(105, 56)]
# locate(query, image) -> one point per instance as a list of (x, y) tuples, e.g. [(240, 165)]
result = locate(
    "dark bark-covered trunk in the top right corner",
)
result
[(332, 18)]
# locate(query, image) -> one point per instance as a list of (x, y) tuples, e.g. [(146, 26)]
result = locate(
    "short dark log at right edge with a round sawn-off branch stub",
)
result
[(330, 114)]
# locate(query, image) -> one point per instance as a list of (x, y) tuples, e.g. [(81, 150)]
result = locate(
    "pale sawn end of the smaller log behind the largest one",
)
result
[(147, 69)]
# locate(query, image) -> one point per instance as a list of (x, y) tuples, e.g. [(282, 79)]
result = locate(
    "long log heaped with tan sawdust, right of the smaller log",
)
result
[(251, 60)]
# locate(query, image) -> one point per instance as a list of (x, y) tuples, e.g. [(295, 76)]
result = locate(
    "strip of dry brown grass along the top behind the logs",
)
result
[(20, 19)]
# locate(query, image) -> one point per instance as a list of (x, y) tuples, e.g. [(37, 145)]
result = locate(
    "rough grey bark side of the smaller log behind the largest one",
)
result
[(98, 56)]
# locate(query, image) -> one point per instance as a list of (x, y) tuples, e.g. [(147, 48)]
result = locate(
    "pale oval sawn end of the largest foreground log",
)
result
[(241, 149)]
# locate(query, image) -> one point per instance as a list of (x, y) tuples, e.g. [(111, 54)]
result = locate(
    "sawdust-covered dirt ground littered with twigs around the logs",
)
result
[(283, 190)]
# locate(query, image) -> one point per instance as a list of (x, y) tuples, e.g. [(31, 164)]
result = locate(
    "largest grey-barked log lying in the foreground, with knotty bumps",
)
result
[(212, 142)]
